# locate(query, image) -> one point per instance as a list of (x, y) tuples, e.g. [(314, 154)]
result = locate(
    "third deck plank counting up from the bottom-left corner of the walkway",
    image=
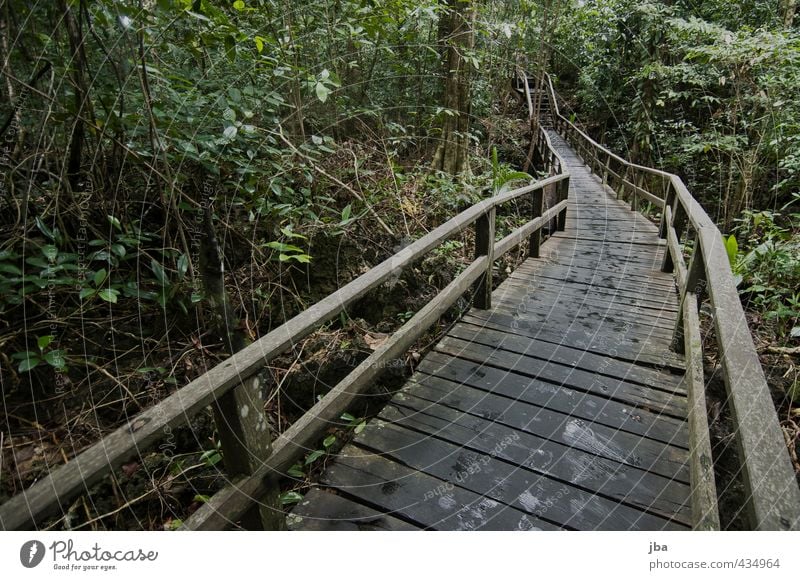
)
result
[(540, 496)]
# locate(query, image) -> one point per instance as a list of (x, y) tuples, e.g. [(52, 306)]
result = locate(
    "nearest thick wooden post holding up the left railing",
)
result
[(245, 438)]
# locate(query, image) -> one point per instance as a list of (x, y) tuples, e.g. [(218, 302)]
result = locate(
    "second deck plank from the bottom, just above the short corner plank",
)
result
[(394, 488)]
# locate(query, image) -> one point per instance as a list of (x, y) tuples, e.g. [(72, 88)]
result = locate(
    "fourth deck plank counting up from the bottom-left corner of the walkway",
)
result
[(574, 467)]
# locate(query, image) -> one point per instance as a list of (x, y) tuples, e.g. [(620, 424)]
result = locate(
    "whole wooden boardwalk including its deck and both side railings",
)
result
[(570, 397)]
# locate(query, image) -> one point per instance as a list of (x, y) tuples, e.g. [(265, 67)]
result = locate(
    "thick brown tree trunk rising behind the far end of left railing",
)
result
[(457, 37)]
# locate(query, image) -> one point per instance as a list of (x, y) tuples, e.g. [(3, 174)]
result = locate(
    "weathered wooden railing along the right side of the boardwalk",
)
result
[(772, 492)]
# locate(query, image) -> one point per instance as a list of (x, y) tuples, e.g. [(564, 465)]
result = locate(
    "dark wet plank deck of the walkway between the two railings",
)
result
[(562, 407)]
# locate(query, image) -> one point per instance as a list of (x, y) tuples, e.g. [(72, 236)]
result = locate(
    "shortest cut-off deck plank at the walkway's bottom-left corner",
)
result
[(324, 510)]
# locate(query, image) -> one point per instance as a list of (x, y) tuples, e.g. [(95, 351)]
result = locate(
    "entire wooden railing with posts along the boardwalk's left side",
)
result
[(234, 389)]
